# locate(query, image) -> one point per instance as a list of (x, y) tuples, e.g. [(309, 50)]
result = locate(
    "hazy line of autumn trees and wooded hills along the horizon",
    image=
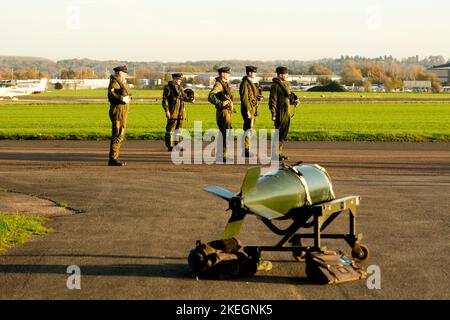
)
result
[(354, 70)]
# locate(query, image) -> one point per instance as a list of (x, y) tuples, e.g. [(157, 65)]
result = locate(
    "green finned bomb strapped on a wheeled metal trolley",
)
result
[(302, 194)]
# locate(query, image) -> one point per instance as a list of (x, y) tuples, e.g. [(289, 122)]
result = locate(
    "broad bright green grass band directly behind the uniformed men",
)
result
[(332, 121)]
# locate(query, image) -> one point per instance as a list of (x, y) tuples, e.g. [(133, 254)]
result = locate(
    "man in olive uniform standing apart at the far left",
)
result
[(119, 97)]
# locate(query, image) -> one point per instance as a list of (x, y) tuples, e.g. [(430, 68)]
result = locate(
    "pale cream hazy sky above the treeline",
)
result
[(177, 30)]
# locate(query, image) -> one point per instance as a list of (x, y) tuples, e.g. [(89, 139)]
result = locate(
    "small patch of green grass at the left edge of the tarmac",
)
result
[(17, 229)]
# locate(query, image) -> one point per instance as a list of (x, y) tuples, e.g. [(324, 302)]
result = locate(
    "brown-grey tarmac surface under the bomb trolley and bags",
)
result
[(133, 227)]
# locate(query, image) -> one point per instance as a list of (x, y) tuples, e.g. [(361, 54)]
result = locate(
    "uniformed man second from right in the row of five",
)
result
[(250, 96)]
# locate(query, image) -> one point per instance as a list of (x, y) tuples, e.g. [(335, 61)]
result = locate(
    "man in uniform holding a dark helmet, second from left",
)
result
[(173, 105)]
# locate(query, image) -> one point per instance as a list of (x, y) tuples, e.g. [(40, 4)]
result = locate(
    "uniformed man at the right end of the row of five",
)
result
[(280, 107)]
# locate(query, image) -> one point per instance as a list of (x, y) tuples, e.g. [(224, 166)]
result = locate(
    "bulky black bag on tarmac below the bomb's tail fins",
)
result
[(222, 259)]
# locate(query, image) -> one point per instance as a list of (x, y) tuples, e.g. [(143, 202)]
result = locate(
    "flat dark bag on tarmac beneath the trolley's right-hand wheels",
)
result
[(332, 267)]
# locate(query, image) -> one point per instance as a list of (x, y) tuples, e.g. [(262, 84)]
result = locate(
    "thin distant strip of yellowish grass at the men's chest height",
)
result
[(101, 93)]
